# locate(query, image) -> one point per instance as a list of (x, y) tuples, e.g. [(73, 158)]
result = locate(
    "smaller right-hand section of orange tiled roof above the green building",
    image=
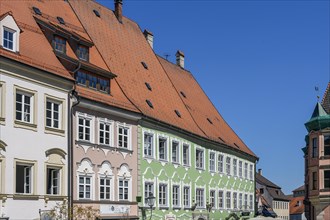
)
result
[(201, 108)]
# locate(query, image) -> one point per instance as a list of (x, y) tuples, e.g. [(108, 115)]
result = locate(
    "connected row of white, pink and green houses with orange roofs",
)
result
[(91, 116)]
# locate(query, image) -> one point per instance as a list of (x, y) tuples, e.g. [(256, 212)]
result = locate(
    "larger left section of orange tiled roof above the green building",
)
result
[(123, 47)]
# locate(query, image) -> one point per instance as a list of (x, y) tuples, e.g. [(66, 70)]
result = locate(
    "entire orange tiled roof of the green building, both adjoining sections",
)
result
[(123, 47)]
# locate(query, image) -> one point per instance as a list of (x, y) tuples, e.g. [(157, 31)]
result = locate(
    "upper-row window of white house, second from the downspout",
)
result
[(24, 107)]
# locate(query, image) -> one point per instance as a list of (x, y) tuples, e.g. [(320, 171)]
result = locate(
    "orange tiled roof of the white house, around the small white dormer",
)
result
[(41, 56)]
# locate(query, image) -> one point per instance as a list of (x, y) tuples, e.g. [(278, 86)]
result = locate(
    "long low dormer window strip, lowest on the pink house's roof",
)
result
[(93, 81)]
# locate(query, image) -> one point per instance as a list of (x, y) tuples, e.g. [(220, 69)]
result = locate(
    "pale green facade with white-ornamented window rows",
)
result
[(188, 175)]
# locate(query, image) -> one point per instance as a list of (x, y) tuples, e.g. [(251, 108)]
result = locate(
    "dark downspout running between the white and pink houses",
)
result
[(71, 94)]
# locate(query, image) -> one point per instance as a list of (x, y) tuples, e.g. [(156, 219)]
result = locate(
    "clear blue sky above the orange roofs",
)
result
[(258, 61)]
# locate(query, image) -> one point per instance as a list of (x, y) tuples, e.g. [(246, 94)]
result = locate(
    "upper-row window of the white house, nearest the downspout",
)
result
[(53, 114)]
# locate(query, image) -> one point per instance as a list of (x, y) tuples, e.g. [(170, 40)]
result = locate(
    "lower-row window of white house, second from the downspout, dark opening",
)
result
[(23, 178)]
